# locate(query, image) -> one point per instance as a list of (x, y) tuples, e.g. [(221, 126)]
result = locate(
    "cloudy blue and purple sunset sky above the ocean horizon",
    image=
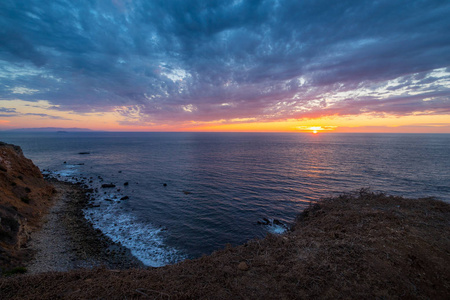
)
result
[(269, 65)]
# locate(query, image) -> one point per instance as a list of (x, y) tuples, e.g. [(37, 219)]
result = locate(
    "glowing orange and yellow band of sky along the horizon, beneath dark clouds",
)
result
[(23, 114)]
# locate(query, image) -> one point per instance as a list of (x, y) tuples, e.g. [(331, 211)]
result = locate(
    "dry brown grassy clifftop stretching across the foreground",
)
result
[(361, 245)]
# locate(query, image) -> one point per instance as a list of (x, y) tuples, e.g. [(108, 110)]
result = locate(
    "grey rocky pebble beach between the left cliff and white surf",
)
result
[(67, 241)]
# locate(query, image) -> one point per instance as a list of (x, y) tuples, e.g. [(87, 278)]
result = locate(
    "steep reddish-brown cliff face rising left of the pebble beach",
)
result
[(24, 197)]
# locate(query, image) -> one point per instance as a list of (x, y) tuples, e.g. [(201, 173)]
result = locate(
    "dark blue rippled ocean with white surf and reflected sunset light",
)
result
[(192, 193)]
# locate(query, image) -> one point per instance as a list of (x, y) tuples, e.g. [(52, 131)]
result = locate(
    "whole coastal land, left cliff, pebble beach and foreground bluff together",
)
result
[(356, 246)]
